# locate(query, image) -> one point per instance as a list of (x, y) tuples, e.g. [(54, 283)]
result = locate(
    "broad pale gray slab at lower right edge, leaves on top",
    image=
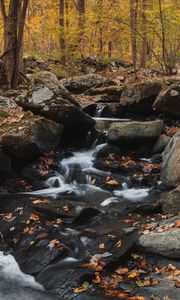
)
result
[(165, 243)]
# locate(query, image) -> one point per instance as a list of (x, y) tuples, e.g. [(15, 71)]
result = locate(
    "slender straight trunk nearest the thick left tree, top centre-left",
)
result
[(62, 32)]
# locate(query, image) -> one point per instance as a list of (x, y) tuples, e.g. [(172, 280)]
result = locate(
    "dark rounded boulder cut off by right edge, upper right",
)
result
[(168, 101)]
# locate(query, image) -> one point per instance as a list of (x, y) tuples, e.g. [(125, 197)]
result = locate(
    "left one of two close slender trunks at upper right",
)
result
[(133, 27)]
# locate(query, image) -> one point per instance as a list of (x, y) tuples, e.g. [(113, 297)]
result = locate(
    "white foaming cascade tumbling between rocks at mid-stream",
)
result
[(82, 162)]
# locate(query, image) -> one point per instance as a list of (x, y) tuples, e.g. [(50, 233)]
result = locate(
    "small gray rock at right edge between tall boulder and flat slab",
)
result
[(171, 201)]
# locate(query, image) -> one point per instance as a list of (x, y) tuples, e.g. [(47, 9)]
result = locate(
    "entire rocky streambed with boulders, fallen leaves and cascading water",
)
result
[(89, 203)]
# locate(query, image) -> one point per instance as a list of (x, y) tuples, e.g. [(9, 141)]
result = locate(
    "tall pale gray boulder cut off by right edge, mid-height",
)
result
[(170, 168)]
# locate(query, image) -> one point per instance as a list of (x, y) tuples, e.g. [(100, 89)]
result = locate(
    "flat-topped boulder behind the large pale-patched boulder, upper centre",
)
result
[(80, 84)]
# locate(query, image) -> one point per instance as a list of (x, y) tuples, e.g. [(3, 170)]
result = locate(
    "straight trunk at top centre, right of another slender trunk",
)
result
[(81, 21)]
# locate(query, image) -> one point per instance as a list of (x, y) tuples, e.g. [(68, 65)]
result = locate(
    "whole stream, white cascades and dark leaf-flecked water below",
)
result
[(78, 185)]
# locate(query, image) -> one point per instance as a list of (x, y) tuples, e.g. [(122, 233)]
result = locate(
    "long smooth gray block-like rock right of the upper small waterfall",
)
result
[(120, 132)]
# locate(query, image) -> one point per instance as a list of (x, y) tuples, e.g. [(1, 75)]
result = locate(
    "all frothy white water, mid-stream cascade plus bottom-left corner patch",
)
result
[(76, 174)]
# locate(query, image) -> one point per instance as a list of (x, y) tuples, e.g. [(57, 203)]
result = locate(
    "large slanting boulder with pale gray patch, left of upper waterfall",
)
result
[(58, 105)]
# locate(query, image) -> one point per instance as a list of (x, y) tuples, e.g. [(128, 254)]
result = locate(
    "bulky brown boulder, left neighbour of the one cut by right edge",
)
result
[(140, 97)]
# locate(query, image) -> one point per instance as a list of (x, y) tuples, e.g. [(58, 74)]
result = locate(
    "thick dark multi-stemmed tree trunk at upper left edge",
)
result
[(13, 25)]
